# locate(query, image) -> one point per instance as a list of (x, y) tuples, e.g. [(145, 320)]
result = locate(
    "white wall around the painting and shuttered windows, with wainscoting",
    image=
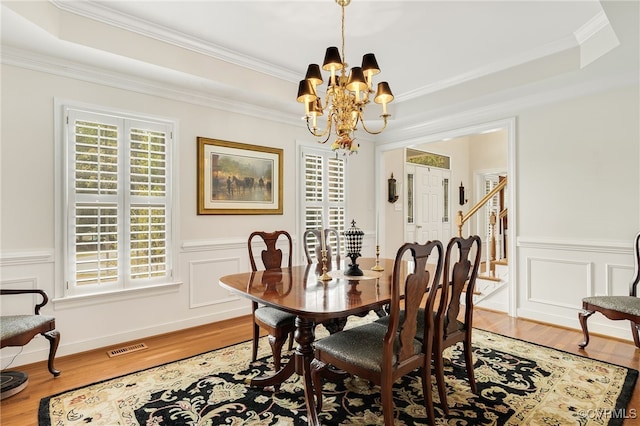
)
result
[(208, 246)]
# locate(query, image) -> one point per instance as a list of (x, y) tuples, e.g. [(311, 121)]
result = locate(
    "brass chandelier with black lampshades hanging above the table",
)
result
[(346, 96)]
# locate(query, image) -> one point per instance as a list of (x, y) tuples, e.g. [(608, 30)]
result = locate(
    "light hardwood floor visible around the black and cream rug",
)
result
[(88, 367)]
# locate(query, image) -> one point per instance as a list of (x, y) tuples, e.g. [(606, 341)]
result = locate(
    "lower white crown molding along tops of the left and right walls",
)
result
[(488, 108)]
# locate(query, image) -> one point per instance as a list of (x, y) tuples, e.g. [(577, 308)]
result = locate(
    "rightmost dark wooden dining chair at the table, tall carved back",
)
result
[(461, 265)]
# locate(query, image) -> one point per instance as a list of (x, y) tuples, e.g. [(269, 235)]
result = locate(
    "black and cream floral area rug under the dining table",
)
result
[(519, 383)]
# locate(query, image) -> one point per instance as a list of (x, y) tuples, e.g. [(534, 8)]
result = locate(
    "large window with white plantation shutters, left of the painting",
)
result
[(118, 194)]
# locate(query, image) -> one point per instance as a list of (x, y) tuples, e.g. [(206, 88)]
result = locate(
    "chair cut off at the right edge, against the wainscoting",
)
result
[(616, 307)]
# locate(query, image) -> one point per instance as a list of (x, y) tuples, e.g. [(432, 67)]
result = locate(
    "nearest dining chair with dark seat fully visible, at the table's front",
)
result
[(383, 354)]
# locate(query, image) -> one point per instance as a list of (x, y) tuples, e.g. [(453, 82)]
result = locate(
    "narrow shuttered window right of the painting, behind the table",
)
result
[(323, 191)]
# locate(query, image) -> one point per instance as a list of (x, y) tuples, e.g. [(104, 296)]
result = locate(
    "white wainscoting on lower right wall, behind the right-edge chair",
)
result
[(554, 276)]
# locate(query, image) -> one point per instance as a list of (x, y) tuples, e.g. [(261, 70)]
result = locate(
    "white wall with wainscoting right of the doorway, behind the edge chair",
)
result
[(578, 201)]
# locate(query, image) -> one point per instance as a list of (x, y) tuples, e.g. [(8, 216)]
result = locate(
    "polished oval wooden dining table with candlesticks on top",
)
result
[(300, 290)]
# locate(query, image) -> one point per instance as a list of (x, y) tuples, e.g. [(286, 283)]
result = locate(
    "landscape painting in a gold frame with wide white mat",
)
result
[(237, 178)]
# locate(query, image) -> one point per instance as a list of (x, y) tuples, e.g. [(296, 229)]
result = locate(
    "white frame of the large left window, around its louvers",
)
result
[(65, 169)]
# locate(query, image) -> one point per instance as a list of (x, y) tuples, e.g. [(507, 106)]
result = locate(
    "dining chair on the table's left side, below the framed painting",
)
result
[(278, 324)]
